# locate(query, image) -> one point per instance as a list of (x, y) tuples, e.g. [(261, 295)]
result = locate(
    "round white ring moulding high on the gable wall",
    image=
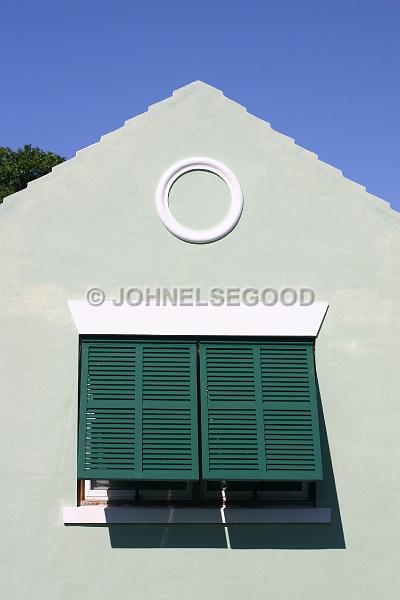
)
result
[(193, 235)]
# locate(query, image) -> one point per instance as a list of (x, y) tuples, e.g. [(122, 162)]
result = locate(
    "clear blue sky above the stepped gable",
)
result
[(324, 72)]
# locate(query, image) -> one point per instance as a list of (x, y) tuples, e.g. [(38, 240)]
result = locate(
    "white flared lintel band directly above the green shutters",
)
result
[(259, 320)]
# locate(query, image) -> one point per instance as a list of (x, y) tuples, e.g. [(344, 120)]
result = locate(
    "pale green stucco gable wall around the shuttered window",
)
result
[(92, 222)]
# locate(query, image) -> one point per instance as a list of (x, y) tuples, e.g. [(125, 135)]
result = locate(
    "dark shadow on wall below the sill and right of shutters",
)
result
[(284, 536)]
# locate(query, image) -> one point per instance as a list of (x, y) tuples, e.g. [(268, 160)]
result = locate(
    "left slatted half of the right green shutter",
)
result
[(232, 436)]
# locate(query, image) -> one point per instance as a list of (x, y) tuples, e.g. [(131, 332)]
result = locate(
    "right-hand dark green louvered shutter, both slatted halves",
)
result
[(259, 411)]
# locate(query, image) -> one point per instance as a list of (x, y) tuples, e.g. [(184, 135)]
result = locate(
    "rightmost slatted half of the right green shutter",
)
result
[(290, 412)]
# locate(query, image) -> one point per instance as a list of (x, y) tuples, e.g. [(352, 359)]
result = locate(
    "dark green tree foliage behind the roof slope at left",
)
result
[(19, 167)]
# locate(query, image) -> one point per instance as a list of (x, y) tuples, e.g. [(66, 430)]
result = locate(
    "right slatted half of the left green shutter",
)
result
[(170, 429)]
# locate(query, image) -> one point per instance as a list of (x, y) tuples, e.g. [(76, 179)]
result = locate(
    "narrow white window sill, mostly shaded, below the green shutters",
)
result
[(103, 515)]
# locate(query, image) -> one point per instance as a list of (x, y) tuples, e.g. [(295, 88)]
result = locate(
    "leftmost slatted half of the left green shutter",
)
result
[(108, 410)]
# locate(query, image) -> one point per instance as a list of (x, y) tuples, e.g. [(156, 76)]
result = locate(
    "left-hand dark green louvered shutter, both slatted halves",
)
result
[(138, 410)]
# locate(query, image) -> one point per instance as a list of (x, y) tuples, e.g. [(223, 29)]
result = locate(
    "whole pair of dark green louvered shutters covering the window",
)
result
[(138, 410)]
